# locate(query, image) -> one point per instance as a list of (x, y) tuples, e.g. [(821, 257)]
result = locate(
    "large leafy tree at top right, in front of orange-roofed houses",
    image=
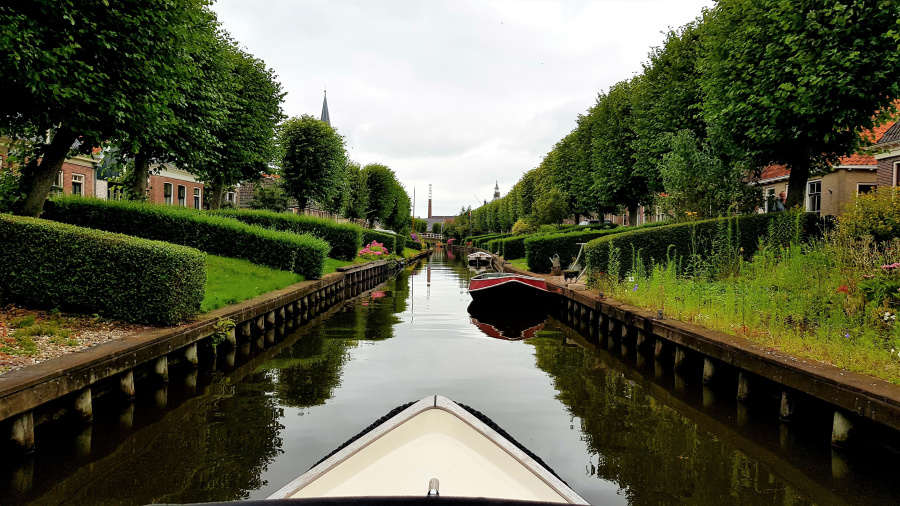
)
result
[(795, 82)]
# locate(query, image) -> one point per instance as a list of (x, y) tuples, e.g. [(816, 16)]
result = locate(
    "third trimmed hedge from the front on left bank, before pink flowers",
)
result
[(345, 238)]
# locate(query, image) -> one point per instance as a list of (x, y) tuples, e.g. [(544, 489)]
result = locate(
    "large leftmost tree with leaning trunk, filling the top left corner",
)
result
[(78, 72)]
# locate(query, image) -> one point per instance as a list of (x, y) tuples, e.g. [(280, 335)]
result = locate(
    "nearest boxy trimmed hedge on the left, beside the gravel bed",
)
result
[(48, 264)]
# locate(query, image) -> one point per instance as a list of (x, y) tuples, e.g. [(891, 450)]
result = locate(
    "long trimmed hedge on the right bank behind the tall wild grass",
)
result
[(699, 237)]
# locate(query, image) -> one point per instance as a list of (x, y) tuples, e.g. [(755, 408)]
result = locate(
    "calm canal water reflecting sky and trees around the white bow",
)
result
[(617, 430)]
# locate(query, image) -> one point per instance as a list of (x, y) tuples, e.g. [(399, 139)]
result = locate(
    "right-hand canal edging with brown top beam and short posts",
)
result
[(854, 397)]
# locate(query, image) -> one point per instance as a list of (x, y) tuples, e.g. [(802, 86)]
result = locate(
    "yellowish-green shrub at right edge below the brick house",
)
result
[(876, 213)]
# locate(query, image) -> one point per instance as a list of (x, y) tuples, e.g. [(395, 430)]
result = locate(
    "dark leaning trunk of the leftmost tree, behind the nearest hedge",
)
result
[(38, 178)]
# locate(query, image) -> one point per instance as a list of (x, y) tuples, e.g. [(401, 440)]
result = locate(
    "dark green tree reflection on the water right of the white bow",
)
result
[(654, 454)]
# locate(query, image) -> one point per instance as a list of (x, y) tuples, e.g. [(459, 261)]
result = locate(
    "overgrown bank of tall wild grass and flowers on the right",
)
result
[(833, 300)]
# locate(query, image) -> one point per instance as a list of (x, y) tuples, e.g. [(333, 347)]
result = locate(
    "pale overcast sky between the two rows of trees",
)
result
[(457, 94)]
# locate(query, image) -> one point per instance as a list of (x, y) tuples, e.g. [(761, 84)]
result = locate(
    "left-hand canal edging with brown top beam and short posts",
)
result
[(68, 385)]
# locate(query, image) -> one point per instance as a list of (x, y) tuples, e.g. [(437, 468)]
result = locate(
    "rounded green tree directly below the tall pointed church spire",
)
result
[(313, 159)]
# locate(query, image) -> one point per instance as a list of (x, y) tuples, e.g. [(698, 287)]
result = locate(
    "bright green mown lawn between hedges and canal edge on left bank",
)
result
[(231, 280)]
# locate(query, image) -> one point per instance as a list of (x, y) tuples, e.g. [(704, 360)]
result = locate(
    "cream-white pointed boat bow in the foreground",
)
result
[(432, 447)]
